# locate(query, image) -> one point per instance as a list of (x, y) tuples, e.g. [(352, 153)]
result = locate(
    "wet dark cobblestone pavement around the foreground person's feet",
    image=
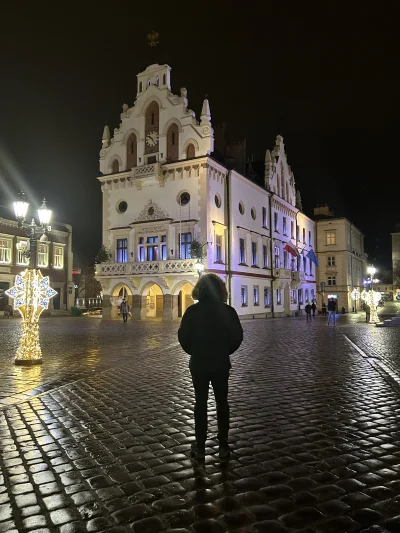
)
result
[(315, 433)]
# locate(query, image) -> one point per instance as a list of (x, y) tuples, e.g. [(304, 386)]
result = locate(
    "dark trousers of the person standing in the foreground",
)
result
[(219, 381)]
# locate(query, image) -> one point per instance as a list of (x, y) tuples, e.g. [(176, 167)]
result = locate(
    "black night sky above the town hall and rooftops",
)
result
[(326, 81)]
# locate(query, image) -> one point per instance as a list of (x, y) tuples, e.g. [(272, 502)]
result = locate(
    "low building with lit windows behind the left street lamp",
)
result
[(54, 259)]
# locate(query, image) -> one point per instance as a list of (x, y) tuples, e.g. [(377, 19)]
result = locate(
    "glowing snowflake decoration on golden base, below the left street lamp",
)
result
[(31, 294)]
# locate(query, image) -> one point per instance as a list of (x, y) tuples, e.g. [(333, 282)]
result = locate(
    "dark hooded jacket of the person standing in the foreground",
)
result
[(210, 331)]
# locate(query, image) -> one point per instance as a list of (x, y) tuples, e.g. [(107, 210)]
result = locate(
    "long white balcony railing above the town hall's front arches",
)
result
[(147, 268)]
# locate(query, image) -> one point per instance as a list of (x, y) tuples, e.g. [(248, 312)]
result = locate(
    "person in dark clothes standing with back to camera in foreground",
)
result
[(210, 332)]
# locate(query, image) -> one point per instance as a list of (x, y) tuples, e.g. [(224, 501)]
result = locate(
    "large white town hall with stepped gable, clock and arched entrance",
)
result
[(163, 189)]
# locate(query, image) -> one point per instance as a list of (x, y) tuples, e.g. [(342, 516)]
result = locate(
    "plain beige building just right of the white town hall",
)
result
[(341, 257)]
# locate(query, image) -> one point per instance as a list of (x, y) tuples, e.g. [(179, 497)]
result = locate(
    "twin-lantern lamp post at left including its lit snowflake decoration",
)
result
[(32, 291)]
